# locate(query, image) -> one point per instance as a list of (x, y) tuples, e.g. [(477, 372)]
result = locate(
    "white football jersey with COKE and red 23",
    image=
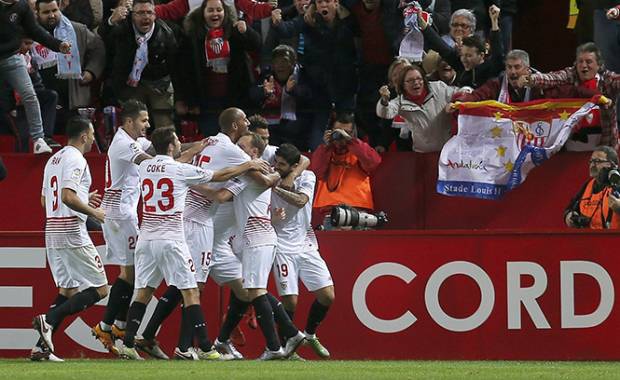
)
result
[(164, 184)]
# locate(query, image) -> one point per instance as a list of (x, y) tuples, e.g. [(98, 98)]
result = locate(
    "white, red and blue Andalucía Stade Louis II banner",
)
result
[(498, 144)]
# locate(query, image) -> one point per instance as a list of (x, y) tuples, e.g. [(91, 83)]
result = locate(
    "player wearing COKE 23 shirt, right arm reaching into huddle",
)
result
[(161, 250)]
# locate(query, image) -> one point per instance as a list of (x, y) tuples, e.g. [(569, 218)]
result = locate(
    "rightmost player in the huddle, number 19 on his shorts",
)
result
[(297, 255)]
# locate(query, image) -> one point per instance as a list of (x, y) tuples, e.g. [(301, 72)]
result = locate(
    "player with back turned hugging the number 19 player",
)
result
[(255, 241)]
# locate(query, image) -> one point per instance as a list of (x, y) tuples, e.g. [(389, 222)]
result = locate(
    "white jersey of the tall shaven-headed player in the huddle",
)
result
[(220, 153)]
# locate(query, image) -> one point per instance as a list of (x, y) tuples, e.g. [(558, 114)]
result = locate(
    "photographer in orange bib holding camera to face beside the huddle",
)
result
[(343, 165)]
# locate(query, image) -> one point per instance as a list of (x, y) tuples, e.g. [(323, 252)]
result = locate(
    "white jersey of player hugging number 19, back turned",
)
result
[(252, 204)]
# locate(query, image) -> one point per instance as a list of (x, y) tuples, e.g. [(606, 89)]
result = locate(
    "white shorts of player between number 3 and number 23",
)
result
[(121, 236)]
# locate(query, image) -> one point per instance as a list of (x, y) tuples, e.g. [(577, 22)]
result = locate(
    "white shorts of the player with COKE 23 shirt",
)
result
[(164, 259)]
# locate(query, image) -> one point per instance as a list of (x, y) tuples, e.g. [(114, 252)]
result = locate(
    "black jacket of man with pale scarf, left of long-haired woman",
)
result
[(121, 50)]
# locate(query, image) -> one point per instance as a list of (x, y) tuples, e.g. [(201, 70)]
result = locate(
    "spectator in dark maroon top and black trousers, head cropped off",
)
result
[(380, 24)]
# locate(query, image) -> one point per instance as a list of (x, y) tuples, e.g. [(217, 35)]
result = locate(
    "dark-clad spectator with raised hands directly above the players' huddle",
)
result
[(281, 92)]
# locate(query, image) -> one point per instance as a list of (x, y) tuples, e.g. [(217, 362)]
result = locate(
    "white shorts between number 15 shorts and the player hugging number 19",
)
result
[(223, 265)]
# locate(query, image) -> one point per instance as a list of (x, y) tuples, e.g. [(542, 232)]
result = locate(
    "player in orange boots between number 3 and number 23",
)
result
[(128, 149)]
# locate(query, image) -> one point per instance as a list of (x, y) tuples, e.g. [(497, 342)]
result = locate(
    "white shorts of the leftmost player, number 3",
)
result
[(76, 267)]
